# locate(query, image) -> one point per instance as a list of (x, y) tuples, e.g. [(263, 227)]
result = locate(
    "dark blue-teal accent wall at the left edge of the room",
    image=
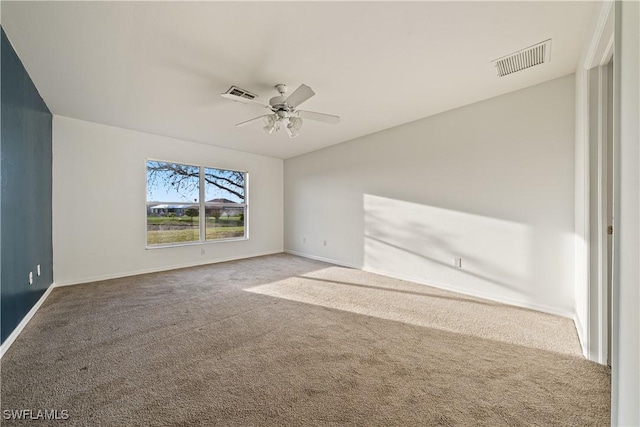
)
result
[(26, 144)]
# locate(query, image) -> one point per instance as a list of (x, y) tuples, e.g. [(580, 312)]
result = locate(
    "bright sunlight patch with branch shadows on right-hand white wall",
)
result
[(421, 242)]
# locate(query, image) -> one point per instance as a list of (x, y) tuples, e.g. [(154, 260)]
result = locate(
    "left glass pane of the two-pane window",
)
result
[(172, 203)]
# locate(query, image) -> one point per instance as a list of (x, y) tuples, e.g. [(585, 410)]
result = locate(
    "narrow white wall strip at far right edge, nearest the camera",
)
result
[(625, 381)]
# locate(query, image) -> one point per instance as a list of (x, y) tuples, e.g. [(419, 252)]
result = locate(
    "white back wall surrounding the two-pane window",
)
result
[(99, 196)]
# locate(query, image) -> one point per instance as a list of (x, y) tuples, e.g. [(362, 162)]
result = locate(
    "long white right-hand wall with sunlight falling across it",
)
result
[(492, 183)]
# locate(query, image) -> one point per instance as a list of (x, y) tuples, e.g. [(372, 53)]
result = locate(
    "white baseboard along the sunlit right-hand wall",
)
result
[(447, 287)]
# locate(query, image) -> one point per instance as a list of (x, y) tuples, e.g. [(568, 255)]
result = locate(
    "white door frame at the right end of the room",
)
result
[(595, 334)]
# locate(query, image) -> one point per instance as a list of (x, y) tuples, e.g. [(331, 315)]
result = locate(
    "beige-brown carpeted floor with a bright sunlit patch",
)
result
[(282, 340)]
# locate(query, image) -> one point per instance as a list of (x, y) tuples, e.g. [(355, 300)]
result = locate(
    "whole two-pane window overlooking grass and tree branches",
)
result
[(192, 204)]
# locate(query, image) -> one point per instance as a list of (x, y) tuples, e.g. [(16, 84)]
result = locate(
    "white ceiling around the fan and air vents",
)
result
[(160, 67)]
